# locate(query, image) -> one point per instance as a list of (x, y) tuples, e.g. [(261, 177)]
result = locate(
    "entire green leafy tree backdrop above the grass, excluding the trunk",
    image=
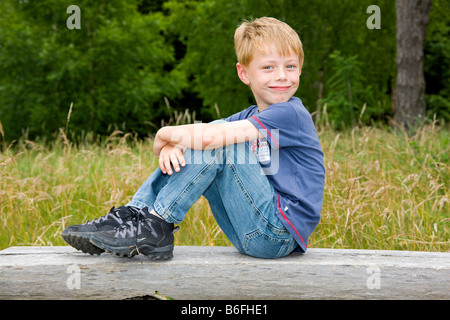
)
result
[(129, 56)]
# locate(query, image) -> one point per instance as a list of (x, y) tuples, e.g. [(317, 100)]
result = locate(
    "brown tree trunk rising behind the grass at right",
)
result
[(412, 21)]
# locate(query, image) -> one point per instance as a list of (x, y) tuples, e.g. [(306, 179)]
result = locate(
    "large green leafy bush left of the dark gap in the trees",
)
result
[(113, 69)]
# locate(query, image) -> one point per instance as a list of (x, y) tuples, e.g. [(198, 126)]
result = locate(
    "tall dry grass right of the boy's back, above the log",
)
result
[(386, 190)]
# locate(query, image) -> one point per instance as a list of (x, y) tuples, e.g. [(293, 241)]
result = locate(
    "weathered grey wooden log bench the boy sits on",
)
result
[(223, 273)]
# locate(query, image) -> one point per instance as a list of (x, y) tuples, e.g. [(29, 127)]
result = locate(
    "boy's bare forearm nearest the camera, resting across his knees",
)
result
[(201, 136)]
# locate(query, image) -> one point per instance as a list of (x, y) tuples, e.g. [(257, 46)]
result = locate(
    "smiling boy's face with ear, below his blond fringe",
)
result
[(272, 78)]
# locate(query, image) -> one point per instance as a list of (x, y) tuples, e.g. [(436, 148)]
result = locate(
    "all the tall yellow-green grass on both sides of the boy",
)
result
[(384, 189)]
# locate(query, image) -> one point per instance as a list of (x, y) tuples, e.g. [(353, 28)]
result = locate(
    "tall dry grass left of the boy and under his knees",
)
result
[(46, 187)]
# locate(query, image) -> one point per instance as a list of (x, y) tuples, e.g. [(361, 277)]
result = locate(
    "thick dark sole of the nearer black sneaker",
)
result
[(162, 253)]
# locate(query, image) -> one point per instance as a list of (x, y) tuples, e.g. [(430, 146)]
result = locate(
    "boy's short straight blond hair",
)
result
[(257, 34)]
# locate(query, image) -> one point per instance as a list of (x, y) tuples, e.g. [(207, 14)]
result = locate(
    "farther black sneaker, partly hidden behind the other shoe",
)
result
[(78, 236)]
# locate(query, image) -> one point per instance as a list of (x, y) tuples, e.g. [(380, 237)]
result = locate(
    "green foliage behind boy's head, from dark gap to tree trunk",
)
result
[(207, 28)]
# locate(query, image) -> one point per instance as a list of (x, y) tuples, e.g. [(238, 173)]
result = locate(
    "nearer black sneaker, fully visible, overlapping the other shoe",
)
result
[(145, 233)]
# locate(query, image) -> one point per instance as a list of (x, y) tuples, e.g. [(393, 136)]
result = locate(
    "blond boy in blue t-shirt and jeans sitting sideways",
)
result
[(260, 169)]
